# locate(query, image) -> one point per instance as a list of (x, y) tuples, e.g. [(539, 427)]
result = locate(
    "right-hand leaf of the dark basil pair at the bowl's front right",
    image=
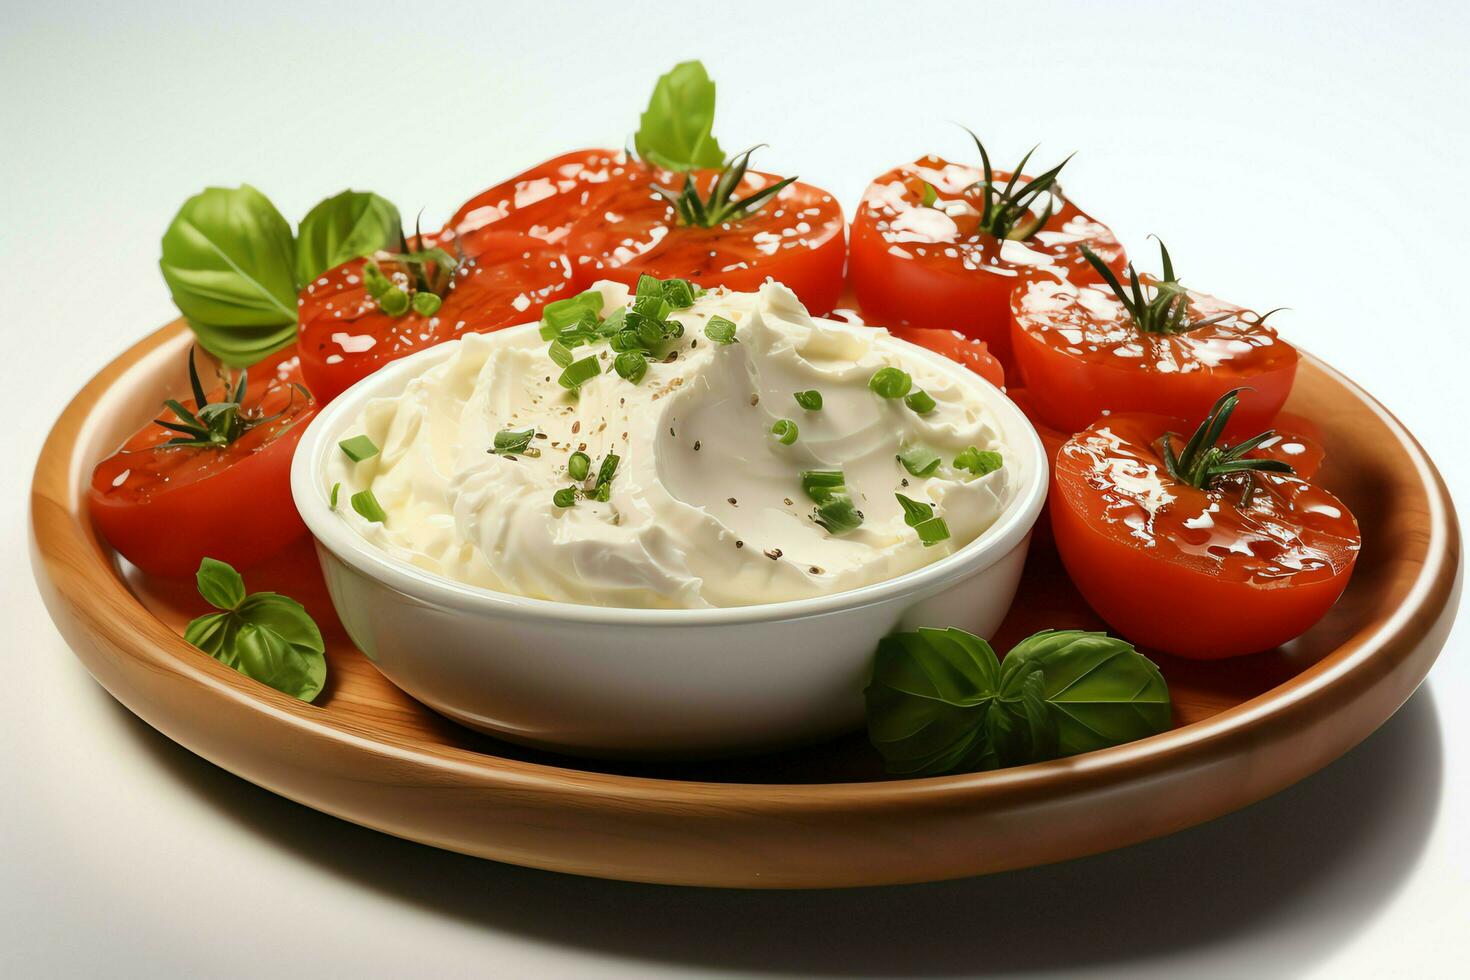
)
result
[(1100, 690)]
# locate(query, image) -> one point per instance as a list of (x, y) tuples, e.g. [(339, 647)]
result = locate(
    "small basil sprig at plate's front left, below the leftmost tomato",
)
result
[(265, 637)]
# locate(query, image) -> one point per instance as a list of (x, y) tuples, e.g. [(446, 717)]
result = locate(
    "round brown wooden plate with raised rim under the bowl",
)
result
[(817, 818)]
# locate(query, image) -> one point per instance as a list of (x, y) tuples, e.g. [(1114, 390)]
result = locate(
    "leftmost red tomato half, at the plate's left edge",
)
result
[(167, 508)]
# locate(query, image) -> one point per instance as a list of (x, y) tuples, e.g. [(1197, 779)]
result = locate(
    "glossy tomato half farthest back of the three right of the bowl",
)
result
[(930, 268)]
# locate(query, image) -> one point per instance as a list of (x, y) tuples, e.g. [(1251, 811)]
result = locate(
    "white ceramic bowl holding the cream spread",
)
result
[(640, 682)]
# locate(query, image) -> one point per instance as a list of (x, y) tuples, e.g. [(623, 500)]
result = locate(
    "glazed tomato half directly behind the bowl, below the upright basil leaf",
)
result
[(796, 239)]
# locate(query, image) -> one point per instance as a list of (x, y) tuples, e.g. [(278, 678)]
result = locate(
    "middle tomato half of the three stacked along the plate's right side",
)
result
[(1080, 356)]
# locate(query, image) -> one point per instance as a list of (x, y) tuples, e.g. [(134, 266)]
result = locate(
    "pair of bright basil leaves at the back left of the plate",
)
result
[(234, 268)]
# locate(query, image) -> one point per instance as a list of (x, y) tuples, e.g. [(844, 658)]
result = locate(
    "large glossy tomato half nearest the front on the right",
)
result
[(1191, 572)]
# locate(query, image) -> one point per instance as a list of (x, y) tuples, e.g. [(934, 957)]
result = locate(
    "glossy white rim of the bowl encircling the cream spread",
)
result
[(333, 534)]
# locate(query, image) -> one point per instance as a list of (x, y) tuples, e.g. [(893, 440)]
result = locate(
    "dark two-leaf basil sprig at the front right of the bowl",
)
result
[(943, 702)]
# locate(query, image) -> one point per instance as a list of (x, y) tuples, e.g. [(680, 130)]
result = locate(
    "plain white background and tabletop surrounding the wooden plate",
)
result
[(1309, 156)]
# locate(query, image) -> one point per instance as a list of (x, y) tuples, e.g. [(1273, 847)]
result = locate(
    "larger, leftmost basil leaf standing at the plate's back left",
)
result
[(230, 262)]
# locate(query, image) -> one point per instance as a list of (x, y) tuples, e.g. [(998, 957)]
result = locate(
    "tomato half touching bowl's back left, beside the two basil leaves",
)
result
[(345, 334)]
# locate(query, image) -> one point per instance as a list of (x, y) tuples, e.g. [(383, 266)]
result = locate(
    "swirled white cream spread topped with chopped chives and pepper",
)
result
[(727, 489)]
